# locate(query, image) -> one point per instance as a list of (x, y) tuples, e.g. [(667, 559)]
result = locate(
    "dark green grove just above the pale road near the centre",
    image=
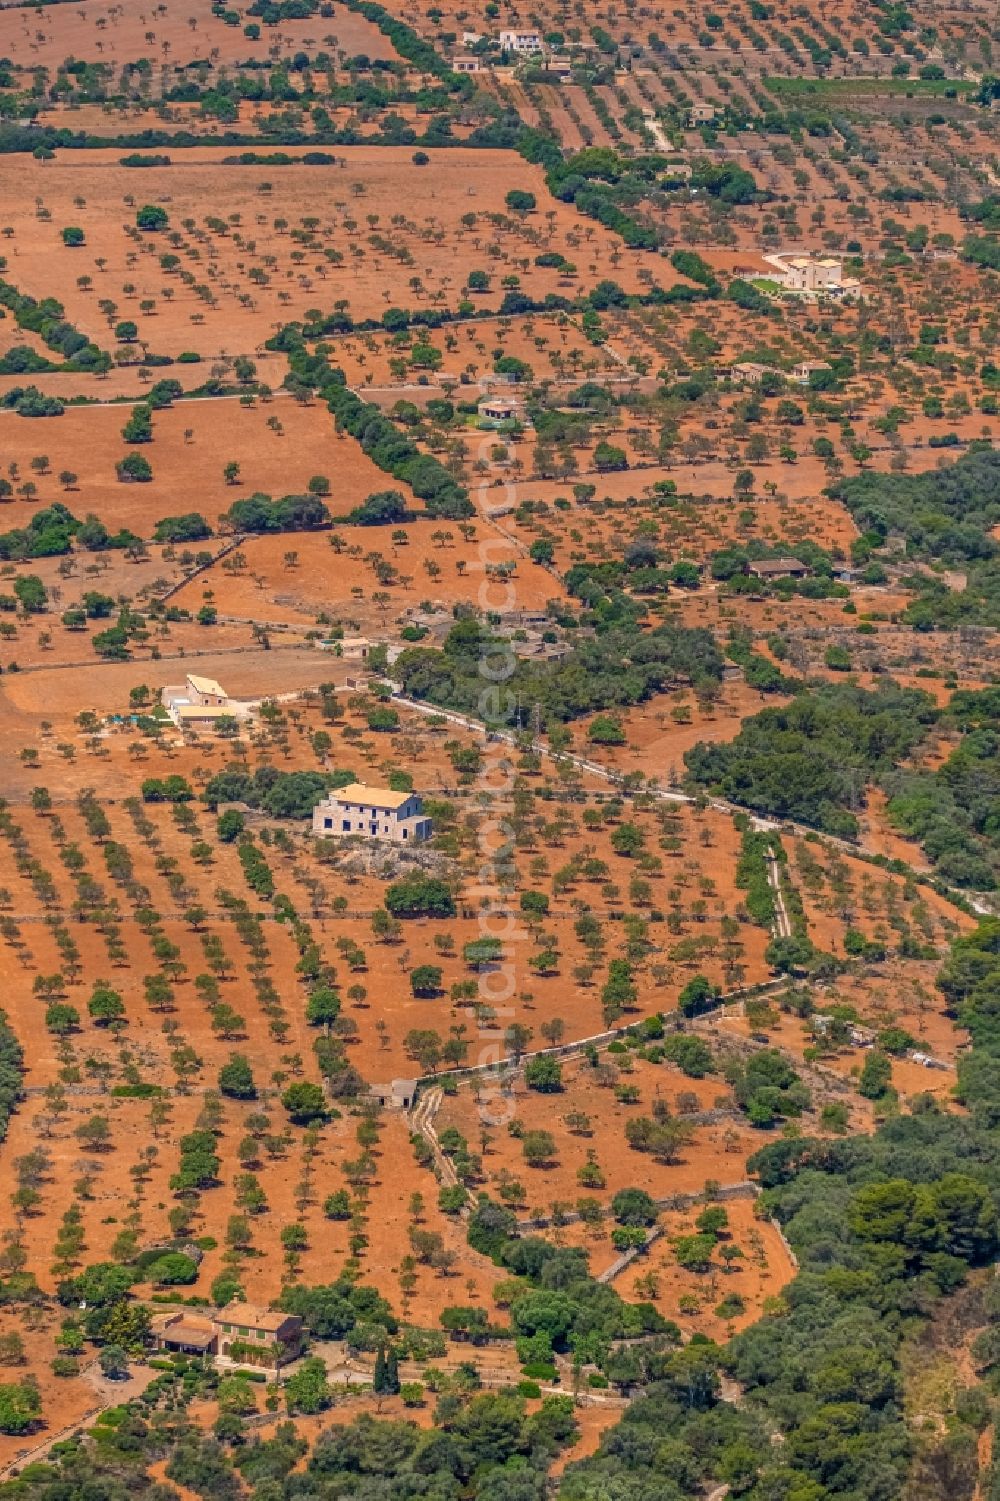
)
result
[(618, 669)]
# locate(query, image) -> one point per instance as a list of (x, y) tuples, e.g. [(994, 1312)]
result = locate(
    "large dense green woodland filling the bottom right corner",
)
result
[(887, 1230)]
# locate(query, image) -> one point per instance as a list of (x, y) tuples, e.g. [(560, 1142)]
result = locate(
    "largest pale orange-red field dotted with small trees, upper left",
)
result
[(370, 181)]
